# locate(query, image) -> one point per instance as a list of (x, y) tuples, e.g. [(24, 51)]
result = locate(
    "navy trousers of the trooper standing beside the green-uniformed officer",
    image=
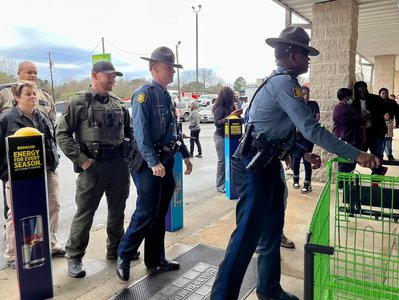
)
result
[(148, 220)]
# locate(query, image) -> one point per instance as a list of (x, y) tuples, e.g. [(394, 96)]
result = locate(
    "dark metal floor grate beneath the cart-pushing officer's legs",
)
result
[(194, 280)]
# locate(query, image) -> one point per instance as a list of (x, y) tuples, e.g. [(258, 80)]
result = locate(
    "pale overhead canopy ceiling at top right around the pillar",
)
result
[(378, 32)]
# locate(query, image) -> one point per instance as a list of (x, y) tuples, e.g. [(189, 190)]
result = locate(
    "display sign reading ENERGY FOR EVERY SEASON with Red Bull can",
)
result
[(27, 180)]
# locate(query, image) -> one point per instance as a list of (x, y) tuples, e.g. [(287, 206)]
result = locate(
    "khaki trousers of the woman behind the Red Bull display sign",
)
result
[(53, 192)]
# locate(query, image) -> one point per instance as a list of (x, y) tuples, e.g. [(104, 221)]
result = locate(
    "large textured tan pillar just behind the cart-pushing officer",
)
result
[(334, 34)]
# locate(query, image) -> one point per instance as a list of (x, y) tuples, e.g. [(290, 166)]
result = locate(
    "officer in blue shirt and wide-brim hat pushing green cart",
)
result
[(276, 109)]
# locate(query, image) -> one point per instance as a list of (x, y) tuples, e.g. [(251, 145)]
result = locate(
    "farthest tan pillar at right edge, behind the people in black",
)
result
[(384, 73)]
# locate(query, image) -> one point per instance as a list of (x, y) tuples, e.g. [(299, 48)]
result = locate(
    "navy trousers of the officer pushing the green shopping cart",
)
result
[(259, 217)]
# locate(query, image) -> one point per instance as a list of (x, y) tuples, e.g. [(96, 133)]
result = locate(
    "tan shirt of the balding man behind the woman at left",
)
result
[(44, 101)]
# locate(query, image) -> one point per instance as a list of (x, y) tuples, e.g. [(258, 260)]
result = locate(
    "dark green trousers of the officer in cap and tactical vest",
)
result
[(111, 177)]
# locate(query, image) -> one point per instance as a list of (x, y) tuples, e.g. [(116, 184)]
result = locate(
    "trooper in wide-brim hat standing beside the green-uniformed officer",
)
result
[(158, 137)]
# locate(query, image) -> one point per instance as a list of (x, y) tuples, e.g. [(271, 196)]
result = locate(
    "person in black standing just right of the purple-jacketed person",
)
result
[(373, 106)]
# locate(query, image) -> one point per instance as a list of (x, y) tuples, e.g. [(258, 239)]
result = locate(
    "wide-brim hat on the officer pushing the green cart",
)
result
[(294, 35)]
